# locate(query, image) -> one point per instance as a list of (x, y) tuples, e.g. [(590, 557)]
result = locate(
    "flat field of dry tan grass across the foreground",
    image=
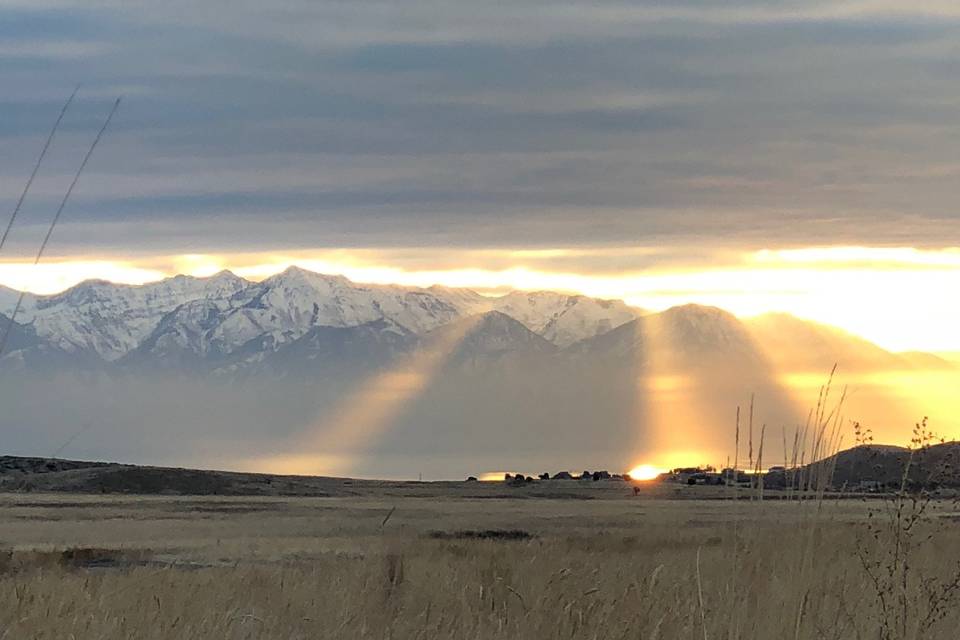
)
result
[(392, 566)]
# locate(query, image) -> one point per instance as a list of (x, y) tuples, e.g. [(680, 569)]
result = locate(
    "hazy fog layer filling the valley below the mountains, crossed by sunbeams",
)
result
[(465, 420)]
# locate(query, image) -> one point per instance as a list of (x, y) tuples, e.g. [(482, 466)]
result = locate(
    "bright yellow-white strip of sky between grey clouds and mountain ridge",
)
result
[(894, 296)]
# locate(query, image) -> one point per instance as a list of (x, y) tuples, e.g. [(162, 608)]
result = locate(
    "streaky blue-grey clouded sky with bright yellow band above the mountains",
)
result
[(760, 156)]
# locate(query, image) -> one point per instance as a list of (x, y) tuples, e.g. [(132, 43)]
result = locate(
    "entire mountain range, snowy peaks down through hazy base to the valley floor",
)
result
[(199, 370)]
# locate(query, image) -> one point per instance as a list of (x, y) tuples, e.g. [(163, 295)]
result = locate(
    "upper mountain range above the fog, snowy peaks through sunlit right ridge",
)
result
[(224, 324)]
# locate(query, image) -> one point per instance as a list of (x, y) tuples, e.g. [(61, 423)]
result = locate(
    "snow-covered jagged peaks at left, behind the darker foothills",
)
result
[(186, 320)]
